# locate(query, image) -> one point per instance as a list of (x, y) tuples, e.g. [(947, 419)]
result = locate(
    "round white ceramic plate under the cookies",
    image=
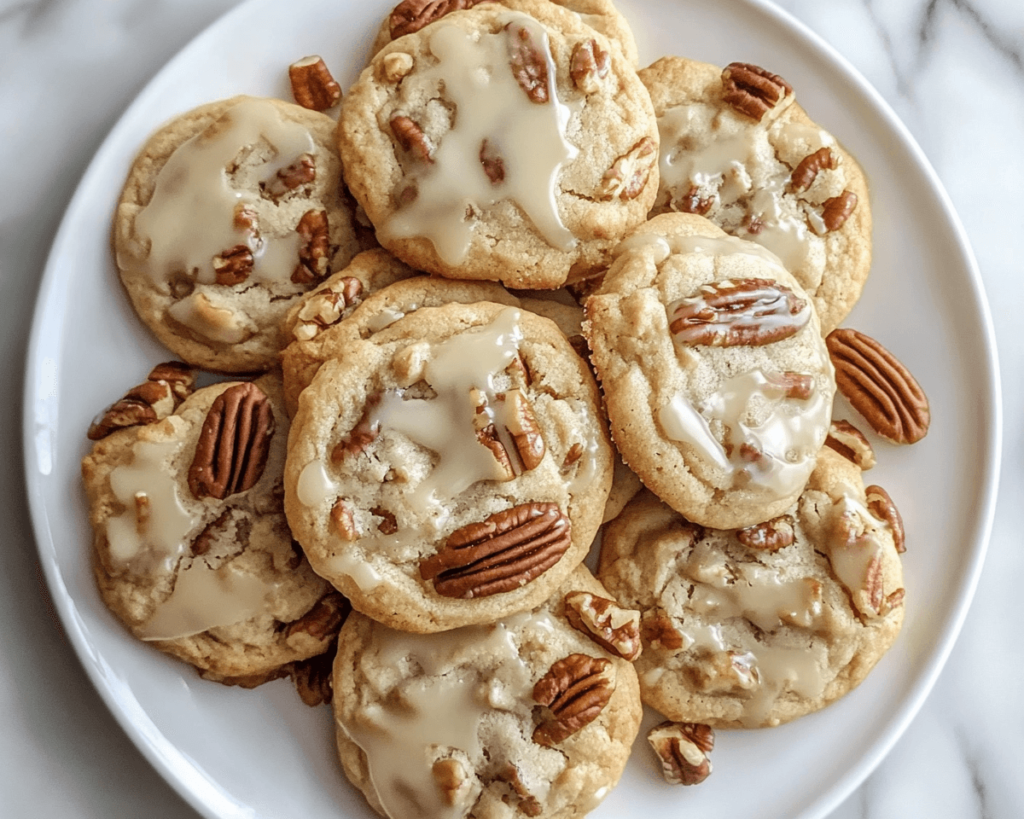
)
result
[(263, 754)]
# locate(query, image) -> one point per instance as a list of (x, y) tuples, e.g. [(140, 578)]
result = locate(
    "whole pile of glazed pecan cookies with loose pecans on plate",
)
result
[(554, 303)]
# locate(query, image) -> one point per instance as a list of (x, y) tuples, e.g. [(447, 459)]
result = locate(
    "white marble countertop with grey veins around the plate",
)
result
[(954, 72)]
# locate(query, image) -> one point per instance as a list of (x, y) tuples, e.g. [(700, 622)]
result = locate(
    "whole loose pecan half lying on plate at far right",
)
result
[(879, 386)]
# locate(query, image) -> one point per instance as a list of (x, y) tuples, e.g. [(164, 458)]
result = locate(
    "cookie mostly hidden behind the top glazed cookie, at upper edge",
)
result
[(411, 16)]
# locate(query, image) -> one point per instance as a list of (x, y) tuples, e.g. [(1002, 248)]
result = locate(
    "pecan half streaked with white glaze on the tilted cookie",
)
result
[(745, 313)]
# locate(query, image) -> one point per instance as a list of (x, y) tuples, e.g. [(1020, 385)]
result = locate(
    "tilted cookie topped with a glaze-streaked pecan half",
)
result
[(716, 378)]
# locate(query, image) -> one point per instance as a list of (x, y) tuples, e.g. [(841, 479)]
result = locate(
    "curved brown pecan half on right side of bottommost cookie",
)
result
[(576, 689)]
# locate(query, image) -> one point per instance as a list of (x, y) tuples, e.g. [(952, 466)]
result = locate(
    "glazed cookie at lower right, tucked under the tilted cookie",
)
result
[(757, 627)]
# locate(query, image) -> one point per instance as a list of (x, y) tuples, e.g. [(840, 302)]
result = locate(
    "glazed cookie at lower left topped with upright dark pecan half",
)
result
[(193, 550)]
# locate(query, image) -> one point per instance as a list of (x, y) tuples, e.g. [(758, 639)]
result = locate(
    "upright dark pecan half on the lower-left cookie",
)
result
[(234, 444)]
